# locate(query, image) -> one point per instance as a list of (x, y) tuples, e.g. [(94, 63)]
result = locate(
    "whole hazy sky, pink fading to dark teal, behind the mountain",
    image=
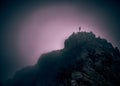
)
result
[(30, 28)]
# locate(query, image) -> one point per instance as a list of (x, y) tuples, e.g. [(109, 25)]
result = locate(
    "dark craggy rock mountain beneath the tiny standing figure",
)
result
[(86, 60)]
